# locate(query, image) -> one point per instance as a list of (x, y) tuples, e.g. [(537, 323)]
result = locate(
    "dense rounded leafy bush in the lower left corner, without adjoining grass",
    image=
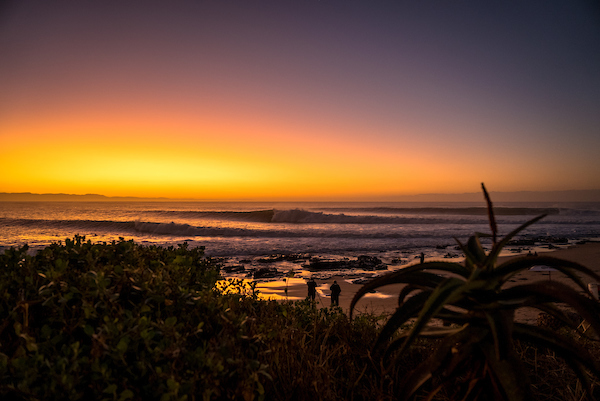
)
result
[(121, 321)]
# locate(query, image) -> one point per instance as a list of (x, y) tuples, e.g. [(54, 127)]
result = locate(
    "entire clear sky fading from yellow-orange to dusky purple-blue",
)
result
[(298, 100)]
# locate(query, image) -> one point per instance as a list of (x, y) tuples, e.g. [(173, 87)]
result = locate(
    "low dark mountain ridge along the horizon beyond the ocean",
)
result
[(592, 195)]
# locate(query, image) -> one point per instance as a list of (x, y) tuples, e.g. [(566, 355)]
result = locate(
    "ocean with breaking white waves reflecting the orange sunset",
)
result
[(286, 236)]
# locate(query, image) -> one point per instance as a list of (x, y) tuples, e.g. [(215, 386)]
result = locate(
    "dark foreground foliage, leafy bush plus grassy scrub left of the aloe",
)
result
[(123, 321)]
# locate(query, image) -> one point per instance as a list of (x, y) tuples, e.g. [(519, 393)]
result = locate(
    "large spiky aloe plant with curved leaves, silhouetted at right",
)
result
[(471, 311)]
